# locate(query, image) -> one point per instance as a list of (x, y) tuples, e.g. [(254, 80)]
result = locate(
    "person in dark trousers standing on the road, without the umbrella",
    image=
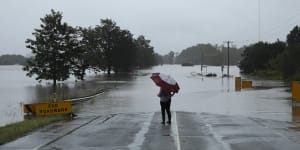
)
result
[(165, 103)]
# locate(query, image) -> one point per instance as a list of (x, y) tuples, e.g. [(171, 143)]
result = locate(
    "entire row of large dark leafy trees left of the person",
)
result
[(60, 50)]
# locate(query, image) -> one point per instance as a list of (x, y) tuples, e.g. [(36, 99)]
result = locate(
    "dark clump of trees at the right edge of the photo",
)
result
[(280, 57)]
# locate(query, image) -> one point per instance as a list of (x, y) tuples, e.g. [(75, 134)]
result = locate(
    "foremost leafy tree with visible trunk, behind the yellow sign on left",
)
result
[(55, 48)]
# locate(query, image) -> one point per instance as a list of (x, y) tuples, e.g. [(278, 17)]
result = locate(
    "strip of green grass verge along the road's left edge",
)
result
[(13, 131)]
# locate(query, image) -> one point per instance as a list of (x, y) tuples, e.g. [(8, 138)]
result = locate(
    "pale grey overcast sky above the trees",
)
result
[(171, 25)]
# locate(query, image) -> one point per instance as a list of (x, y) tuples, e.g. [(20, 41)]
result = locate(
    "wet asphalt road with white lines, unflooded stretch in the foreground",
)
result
[(143, 131)]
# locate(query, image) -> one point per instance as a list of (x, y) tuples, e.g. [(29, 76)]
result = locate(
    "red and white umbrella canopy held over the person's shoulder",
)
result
[(166, 82)]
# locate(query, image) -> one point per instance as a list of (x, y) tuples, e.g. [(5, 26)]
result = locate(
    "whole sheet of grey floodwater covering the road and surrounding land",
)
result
[(125, 94)]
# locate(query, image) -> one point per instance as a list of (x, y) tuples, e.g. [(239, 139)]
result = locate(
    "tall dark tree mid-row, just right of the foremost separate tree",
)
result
[(117, 46)]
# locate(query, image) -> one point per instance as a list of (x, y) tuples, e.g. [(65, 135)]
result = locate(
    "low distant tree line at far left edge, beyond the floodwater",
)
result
[(12, 60)]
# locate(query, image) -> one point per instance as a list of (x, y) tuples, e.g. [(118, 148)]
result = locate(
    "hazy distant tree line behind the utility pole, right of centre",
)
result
[(205, 54)]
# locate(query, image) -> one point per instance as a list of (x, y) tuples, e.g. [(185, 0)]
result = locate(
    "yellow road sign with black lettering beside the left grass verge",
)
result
[(41, 109)]
